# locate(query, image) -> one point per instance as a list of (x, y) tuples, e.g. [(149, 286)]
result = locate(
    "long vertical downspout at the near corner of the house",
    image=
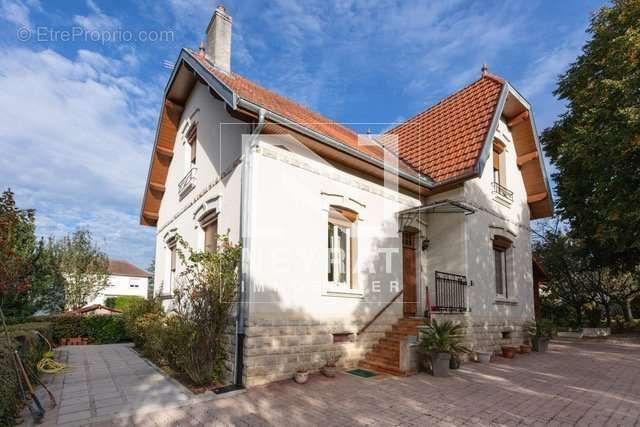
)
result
[(245, 277)]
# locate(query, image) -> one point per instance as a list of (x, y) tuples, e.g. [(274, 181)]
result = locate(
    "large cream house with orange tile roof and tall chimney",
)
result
[(348, 240)]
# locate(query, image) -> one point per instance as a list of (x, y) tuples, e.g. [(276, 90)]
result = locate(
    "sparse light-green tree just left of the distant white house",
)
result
[(84, 268)]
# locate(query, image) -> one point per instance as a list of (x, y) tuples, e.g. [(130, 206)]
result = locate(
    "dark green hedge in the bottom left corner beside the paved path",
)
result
[(31, 348)]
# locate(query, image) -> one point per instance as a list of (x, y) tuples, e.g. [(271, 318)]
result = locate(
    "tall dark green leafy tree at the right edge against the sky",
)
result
[(595, 144)]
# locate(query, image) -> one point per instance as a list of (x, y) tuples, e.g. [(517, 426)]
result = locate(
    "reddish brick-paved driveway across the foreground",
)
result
[(576, 383)]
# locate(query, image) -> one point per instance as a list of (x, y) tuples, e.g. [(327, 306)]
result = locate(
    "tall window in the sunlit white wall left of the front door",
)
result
[(341, 255)]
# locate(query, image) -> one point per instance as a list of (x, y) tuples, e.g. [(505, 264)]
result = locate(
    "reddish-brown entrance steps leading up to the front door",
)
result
[(385, 355)]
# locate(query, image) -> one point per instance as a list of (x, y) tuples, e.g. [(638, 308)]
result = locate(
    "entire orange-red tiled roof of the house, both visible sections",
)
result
[(442, 142)]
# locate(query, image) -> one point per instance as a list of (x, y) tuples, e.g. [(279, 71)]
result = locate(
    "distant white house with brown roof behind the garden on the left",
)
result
[(125, 279)]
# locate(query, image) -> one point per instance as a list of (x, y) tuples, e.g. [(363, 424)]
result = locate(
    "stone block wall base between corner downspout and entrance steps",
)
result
[(275, 349)]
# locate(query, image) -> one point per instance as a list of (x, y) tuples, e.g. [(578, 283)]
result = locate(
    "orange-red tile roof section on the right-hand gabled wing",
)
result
[(445, 140)]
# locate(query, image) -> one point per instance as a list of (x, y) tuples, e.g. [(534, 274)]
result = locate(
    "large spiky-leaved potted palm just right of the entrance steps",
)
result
[(440, 340)]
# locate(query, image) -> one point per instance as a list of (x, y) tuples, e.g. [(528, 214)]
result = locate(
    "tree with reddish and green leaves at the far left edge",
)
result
[(17, 248)]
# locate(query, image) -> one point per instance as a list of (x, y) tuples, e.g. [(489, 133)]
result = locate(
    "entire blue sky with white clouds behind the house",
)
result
[(78, 112)]
